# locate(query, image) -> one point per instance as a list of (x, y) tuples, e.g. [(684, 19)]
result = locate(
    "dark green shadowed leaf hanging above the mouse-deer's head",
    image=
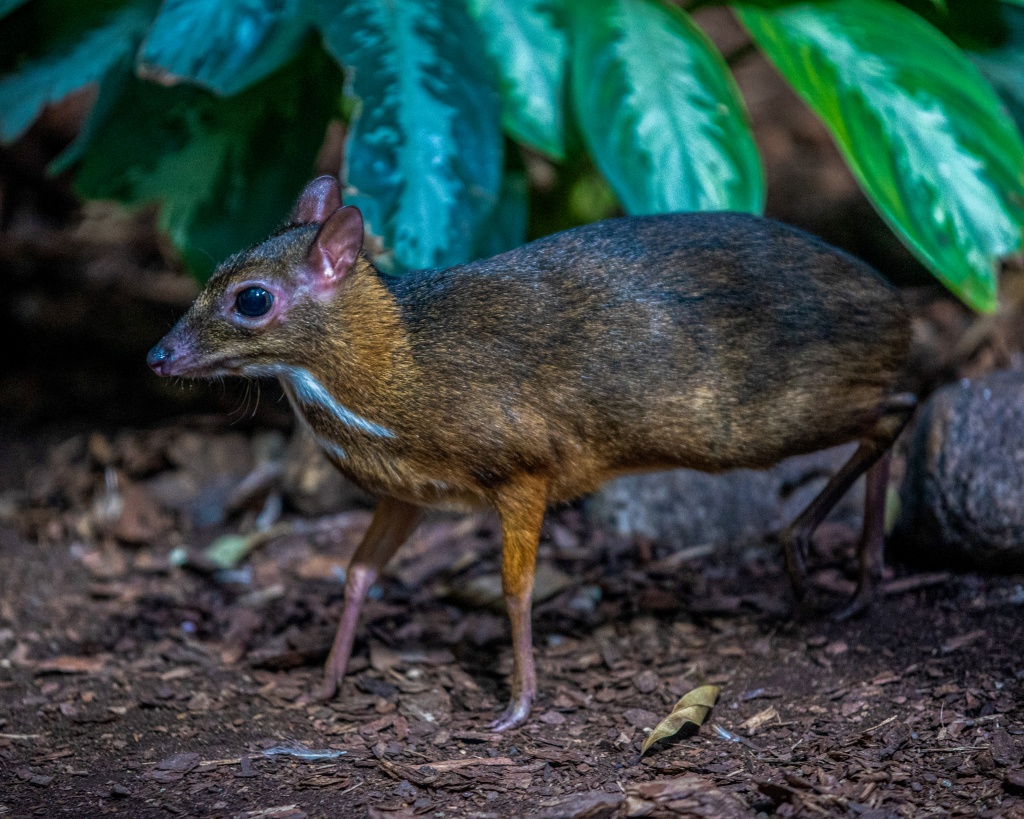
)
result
[(225, 171)]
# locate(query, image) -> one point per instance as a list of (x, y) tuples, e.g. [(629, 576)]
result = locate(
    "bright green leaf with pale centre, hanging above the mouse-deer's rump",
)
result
[(922, 131)]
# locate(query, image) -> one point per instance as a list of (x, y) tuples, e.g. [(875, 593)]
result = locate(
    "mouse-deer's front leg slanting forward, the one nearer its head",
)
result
[(394, 523)]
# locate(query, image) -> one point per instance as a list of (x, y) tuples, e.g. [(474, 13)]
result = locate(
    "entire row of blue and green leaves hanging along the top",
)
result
[(217, 109)]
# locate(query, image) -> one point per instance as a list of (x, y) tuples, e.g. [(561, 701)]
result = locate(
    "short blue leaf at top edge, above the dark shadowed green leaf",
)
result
[(225, 46)]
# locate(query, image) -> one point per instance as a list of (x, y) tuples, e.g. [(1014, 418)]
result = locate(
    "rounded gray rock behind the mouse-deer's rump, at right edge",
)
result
[(963, 501)]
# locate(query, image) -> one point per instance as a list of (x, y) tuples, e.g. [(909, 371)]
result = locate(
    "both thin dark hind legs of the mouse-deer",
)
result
[(797, 537)]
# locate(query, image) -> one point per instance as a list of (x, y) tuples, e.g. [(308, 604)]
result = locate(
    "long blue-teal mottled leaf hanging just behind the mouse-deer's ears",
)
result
[(424, 155)]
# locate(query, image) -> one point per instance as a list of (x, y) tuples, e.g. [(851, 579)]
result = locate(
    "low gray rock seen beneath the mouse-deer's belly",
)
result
[(687, 508)]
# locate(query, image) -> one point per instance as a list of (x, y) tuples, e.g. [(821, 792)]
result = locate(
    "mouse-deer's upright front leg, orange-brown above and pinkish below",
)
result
[(522, 511)]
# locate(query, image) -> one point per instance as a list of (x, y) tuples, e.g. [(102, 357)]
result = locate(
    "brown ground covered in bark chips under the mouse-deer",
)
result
[(134, 685)]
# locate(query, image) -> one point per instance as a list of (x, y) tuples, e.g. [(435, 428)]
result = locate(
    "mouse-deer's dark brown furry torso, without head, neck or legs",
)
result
[(709, 341)]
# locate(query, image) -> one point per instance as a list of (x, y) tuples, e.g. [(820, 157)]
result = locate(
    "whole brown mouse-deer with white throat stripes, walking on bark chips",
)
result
[(709, 341)]
